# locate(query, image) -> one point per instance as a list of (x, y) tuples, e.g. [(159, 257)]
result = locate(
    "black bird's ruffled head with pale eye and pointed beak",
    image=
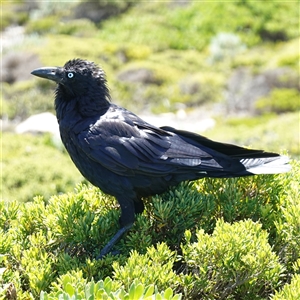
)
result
[(77, 78)]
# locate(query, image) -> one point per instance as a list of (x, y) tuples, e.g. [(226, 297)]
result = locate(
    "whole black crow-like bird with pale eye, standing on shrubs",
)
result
[(129, 158)]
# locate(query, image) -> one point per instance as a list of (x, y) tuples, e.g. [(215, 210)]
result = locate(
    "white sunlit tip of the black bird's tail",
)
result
[(271, 165)]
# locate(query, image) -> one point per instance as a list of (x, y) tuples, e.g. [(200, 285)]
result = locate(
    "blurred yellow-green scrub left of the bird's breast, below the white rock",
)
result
[(30, 166)]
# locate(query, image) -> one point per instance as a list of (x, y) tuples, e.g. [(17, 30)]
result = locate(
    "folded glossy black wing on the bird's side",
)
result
[(132, 146)]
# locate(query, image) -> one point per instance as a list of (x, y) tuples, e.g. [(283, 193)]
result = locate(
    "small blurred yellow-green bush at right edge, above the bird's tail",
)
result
[(279, 101)]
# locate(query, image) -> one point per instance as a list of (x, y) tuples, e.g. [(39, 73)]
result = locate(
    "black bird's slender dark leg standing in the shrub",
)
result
[(126, 221)]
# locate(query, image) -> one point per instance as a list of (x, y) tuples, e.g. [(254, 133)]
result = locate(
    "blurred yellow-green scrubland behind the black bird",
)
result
[(235, 62)]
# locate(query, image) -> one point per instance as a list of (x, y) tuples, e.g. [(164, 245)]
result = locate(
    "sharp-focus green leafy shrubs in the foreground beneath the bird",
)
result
[(211, 239)]
